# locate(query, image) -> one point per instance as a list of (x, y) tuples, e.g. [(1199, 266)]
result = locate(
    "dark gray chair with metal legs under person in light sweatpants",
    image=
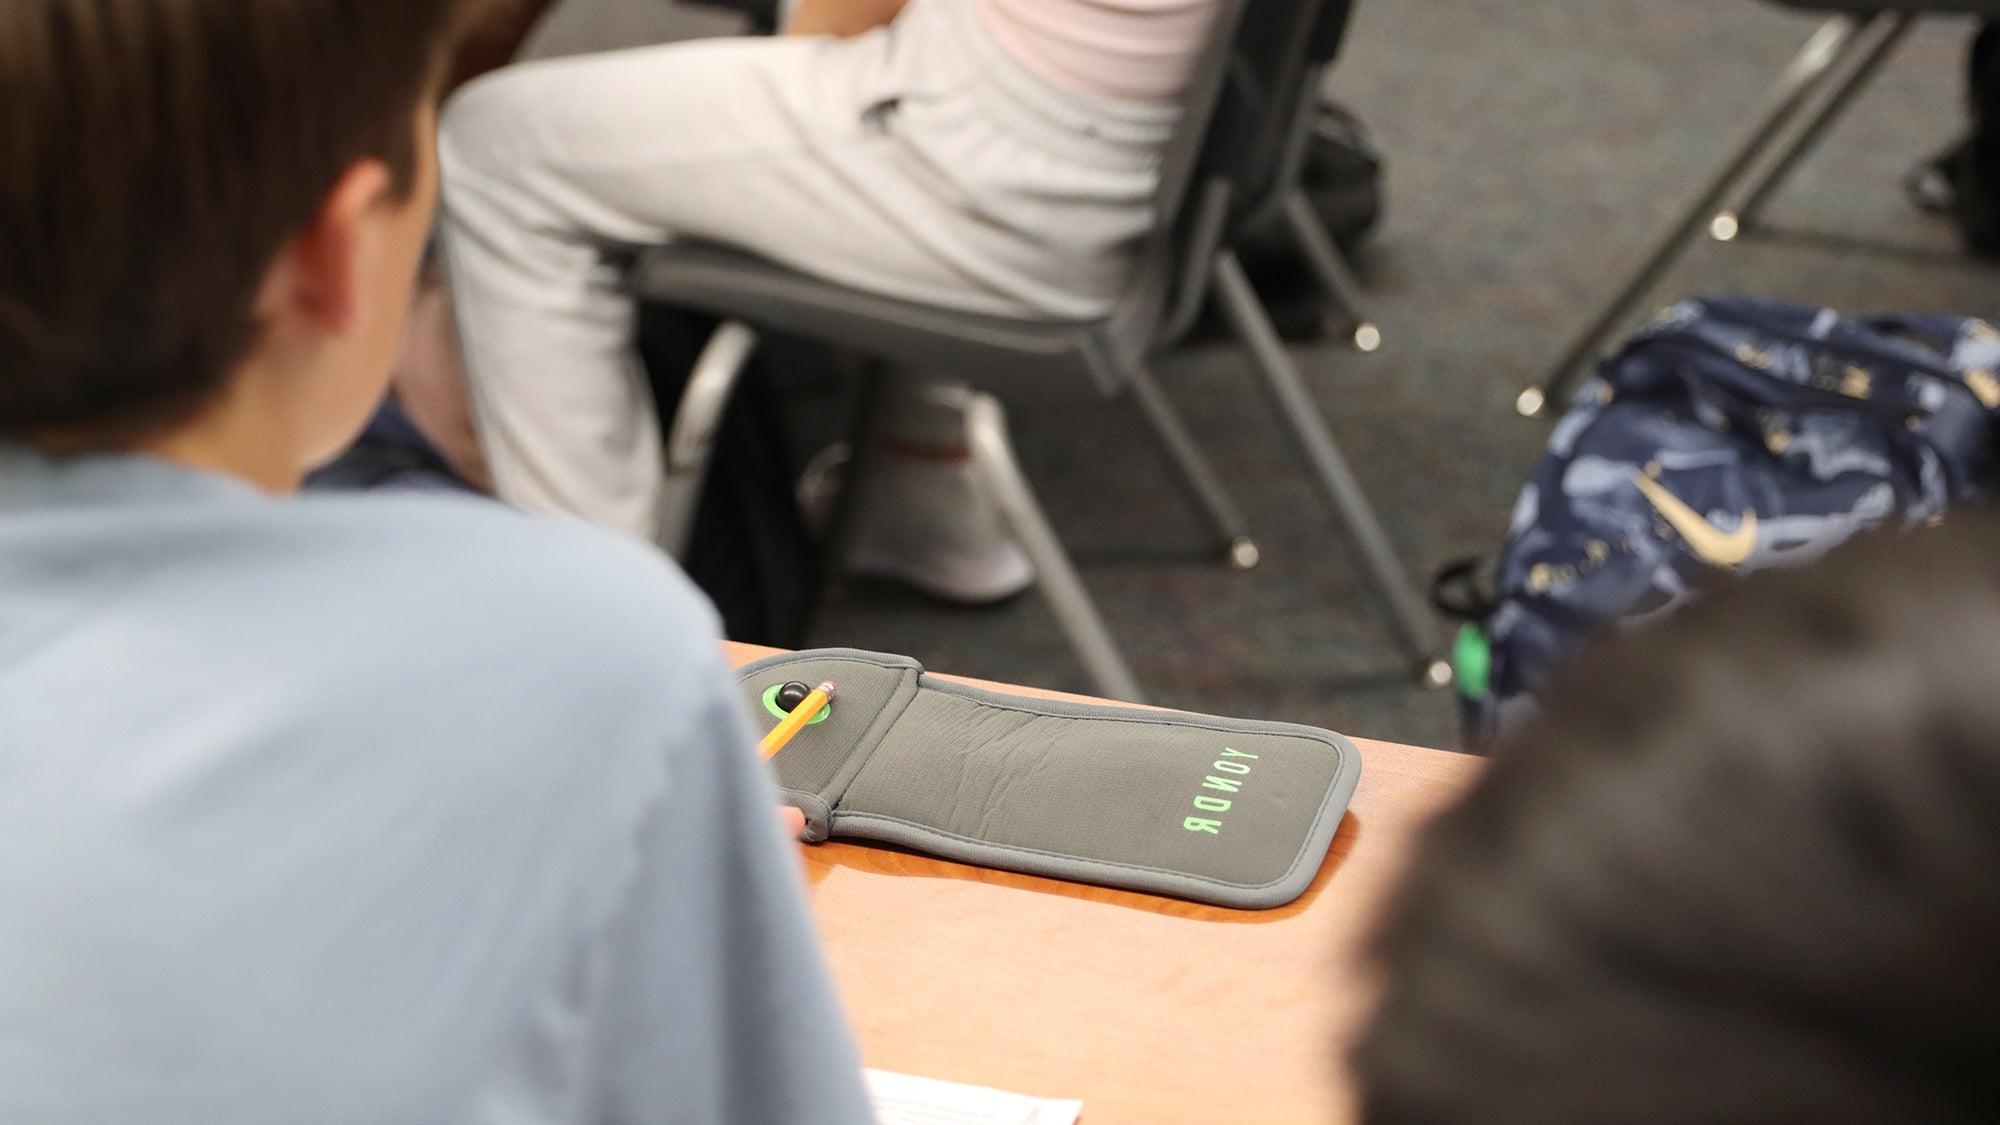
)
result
[(1041, 359)]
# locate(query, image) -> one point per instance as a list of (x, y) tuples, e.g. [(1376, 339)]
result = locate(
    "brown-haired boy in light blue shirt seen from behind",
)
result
[(331, 810)]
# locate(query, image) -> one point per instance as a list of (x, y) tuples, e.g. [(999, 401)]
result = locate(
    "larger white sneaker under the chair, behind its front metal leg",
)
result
[(929, 525)]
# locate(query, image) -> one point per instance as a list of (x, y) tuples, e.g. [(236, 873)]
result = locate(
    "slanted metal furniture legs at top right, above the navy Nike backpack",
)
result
[(1835, 65)]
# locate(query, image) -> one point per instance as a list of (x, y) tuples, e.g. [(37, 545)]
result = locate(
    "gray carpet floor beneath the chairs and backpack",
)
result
[(1533, 149)]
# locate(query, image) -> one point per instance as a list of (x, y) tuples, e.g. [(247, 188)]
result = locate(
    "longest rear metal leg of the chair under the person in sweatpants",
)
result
[(1407, 612)]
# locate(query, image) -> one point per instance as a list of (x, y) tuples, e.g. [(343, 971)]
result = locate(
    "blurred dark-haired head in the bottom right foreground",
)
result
[(1745, 870)]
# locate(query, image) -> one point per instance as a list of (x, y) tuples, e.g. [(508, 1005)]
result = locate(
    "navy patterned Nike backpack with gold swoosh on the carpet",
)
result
[(1727, 437)]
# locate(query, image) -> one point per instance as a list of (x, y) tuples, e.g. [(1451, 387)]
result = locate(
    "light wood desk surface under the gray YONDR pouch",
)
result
[(1149, 1010)]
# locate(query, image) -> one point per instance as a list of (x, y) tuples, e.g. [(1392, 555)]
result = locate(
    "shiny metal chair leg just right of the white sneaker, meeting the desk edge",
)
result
[(993, 457)]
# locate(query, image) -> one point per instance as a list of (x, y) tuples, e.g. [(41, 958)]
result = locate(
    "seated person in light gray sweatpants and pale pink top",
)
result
[(985, 155)]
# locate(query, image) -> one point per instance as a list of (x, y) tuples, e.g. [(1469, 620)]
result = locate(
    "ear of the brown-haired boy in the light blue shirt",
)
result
[(317, 275)]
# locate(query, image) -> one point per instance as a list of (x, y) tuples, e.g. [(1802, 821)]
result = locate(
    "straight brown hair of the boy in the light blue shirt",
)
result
[(155, 159)]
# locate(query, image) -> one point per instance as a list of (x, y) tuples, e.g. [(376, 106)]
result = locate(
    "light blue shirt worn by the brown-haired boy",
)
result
[(381, 810)]
